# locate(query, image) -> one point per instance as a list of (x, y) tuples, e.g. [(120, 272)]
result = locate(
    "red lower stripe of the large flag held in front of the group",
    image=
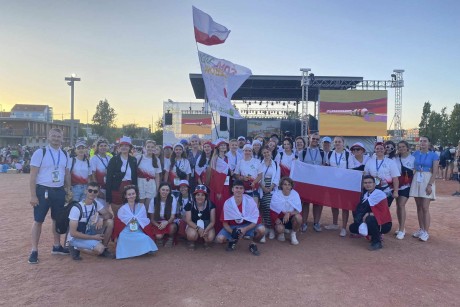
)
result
[(326, 196)]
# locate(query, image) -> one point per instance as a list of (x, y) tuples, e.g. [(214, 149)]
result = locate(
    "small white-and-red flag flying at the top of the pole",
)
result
[(208, 32)]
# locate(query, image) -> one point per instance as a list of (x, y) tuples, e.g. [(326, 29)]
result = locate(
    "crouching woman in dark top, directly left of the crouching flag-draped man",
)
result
[(200, 215)]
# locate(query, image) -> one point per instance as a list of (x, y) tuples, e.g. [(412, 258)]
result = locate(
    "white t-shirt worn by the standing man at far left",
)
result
[(47, 166)]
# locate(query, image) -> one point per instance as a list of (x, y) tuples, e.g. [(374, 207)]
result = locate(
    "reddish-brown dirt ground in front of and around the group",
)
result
[(323, 270)]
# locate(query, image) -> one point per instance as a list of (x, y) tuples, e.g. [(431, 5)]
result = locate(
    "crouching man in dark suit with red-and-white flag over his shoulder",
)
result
[(378, 220)]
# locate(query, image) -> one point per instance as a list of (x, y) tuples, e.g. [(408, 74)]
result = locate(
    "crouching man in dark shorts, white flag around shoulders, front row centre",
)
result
[(240, 218)]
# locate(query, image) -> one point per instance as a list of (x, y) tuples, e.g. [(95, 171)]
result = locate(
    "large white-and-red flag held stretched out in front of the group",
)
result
[(327, 186)]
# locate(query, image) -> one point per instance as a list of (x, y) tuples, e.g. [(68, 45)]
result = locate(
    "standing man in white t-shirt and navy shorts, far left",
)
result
[(48, 174)]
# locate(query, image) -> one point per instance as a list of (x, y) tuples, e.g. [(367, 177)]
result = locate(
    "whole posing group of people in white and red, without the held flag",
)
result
[(225, 192)]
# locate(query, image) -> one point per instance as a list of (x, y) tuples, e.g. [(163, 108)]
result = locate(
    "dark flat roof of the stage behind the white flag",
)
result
[(286, 88)]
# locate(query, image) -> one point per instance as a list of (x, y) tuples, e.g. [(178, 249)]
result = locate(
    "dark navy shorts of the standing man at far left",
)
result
[(55, 201)]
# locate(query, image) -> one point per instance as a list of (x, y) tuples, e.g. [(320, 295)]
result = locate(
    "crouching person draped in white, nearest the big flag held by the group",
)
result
[(285, 210)]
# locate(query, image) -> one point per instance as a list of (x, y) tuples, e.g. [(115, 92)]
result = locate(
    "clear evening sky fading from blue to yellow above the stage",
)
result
[(137, 54)]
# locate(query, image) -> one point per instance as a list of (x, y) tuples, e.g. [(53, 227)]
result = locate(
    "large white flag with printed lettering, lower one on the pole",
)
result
[(222, 79)]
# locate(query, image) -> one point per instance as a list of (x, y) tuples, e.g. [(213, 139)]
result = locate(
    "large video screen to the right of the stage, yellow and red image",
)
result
[(353, 113)]
